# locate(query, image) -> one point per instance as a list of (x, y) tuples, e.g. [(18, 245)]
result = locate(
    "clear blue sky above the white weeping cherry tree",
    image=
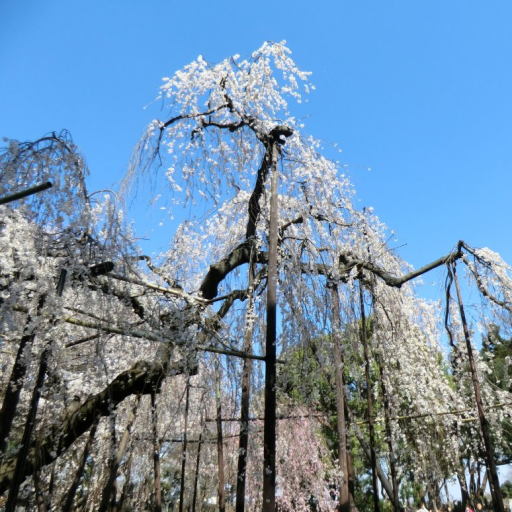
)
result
[(418, 91)]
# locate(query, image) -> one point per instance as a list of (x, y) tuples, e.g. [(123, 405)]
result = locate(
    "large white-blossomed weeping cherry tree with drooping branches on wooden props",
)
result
[(133, 368)]
